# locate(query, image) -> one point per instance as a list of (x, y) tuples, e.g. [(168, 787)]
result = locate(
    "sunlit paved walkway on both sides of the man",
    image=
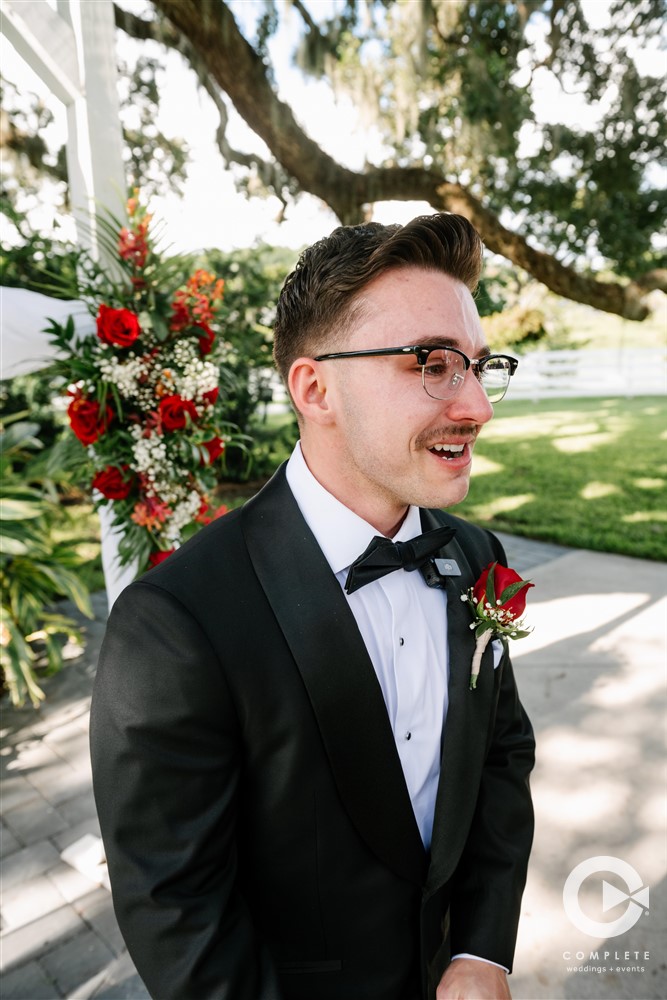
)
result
[(592, 677)]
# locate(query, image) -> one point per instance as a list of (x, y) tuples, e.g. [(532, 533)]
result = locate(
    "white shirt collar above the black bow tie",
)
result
[(341, 534)]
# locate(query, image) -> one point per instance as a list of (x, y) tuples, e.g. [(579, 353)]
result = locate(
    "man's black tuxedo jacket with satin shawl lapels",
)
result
[(259, 833)]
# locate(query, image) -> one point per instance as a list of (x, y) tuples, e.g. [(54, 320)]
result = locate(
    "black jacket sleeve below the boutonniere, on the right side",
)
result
[(486, 892)]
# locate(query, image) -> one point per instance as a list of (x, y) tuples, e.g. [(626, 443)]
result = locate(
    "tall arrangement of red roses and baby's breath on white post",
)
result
[(144, 392)]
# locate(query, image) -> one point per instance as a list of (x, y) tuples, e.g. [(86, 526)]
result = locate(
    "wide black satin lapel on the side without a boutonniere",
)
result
[(324, 639)]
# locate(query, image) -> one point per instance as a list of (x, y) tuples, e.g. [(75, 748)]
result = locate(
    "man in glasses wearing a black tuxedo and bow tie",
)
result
[(299, 794)]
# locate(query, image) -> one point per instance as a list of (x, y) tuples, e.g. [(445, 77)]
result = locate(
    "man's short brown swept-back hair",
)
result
[(316, 307)]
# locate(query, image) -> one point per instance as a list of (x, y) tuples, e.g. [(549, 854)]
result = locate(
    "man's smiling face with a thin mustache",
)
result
[(384, 449)]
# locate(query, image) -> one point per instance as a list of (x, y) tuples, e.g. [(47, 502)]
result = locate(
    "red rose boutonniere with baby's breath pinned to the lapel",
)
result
[(497, 600)]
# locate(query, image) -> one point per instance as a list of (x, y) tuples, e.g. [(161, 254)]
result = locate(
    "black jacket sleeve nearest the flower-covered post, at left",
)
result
[(166, 755)]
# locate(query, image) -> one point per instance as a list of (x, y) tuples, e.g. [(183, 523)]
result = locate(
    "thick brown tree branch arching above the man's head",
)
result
[(213, 34)]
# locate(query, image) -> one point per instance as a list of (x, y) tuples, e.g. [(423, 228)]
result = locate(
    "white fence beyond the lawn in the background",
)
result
[(626, 372)]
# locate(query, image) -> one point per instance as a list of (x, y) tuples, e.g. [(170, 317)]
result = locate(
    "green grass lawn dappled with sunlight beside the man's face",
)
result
[(590, 473)]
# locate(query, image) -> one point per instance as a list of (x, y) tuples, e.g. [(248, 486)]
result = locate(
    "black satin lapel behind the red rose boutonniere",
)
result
[(466, 727)]
